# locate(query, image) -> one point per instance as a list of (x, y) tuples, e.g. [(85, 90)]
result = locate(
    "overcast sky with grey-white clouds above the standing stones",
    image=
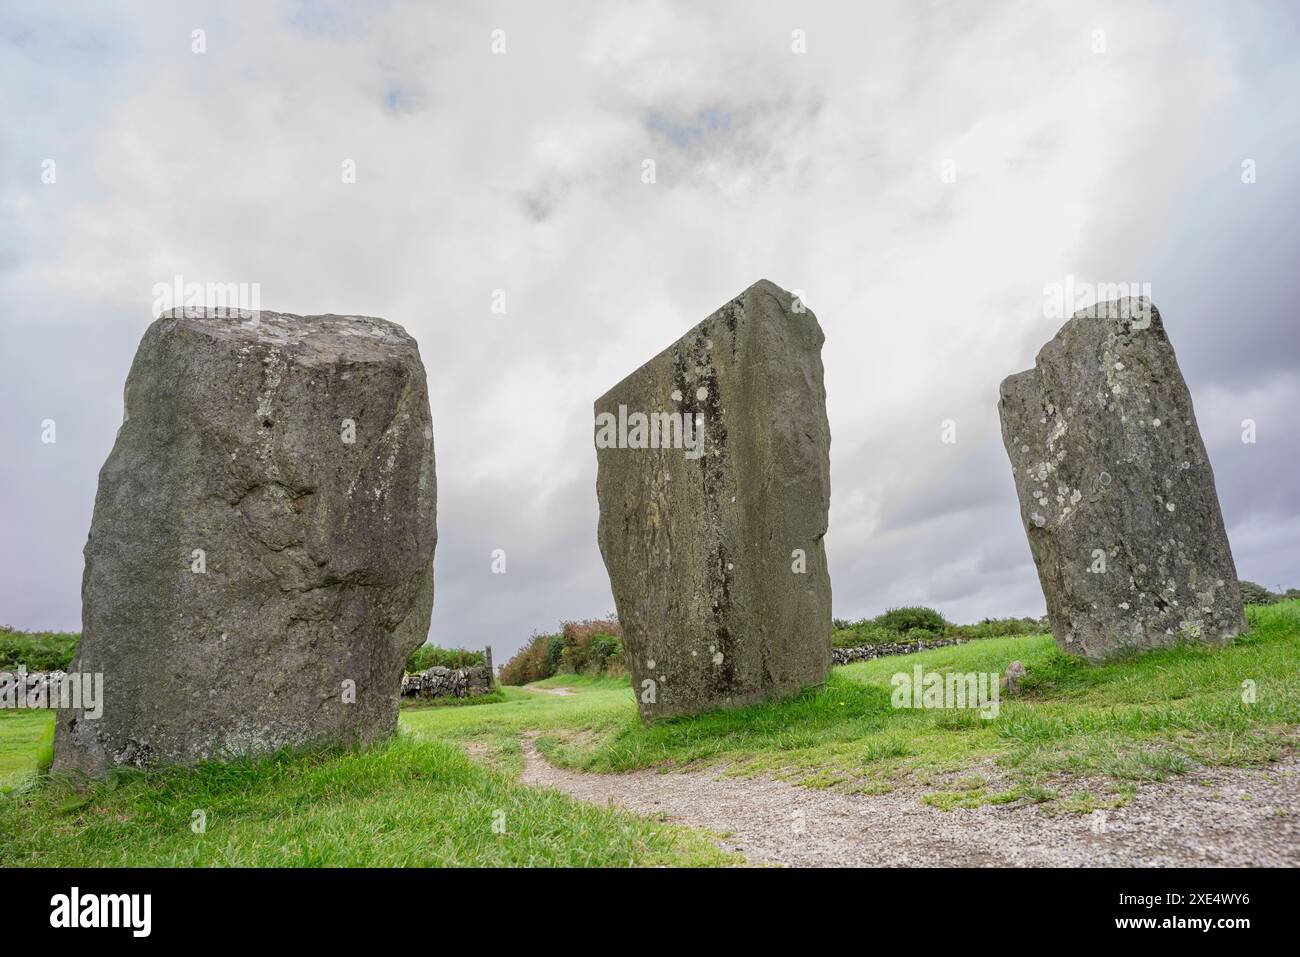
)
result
[(921, 174)]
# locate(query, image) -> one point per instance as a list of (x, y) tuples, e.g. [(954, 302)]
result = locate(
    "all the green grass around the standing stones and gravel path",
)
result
[(421, 800)]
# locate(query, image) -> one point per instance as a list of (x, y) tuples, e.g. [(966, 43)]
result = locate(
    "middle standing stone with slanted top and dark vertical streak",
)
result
[(714, 483)]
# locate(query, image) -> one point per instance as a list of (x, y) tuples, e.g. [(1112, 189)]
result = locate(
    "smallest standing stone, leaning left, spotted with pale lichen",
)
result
[(1116, 490)]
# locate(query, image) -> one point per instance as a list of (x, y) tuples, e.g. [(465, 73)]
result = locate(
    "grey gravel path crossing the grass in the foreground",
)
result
[(1243, 817)]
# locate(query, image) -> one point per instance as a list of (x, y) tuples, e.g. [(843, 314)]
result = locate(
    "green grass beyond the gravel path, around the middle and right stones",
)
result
[(1145, 720)]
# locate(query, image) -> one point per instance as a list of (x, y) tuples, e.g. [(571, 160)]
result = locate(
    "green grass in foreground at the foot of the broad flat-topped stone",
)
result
[(409, 803)]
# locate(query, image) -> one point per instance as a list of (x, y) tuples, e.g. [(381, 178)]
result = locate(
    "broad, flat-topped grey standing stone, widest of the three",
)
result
[(261, 558)]
